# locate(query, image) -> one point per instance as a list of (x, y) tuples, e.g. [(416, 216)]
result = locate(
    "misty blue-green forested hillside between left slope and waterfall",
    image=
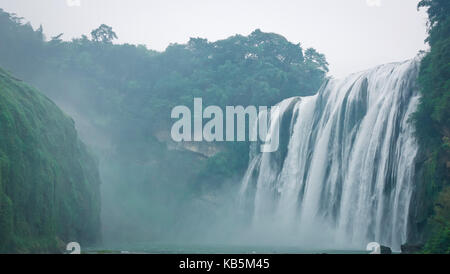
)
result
[(121, 97)]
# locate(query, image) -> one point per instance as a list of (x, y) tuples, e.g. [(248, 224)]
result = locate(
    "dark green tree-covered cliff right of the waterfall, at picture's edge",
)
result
[(432, 121)]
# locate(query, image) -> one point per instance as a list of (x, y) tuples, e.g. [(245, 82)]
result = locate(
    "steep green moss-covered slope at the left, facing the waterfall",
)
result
[(49, 183)]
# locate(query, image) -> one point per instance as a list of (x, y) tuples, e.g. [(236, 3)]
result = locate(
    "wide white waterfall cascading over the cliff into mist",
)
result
[(345, 173)]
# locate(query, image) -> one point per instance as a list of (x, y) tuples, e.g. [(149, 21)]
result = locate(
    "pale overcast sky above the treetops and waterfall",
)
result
[(353, 34)]
